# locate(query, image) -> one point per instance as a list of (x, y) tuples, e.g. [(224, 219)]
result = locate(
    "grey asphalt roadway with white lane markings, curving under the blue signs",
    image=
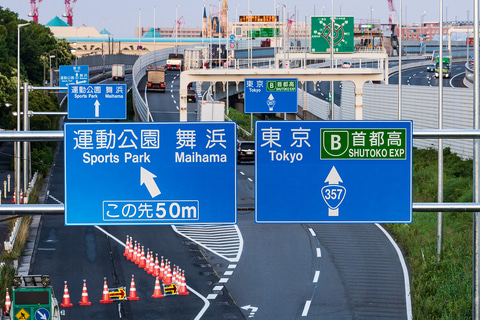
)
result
[(254, 271)]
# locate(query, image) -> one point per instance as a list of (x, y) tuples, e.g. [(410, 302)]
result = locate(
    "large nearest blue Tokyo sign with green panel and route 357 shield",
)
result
[(333, 171)]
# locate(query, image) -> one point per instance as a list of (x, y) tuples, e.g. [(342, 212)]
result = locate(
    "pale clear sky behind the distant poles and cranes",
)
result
[(121, 17)]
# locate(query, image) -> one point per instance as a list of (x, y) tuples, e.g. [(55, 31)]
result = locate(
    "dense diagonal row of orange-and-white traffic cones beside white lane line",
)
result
[(136, 253)]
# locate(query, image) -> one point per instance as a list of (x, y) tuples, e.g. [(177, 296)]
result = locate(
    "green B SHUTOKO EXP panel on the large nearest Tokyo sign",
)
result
[(364, 144)]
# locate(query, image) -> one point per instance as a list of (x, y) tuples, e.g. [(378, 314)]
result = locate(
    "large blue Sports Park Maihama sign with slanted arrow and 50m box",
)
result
[(150, 173)]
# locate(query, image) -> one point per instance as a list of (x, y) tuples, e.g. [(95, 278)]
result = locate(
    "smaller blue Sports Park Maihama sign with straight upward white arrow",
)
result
[(97, 101)]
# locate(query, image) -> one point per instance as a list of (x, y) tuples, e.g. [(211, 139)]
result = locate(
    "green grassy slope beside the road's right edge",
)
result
[(439, 290)]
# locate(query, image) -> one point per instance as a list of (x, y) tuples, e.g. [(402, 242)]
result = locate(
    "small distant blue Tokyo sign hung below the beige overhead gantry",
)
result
[(271, 96)]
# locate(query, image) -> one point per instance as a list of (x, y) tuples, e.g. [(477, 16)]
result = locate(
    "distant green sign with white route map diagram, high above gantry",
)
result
[(321, 34)]
